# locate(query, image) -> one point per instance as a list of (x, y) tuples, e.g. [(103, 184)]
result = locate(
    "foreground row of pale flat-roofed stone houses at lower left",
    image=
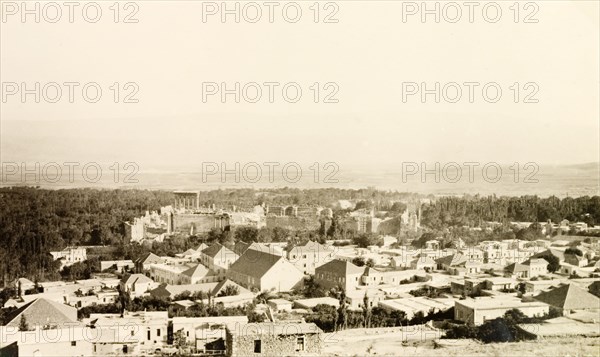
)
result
[(55, 331)]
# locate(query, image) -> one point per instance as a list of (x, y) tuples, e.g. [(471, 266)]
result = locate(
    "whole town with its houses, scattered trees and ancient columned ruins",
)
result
[(278, 276)]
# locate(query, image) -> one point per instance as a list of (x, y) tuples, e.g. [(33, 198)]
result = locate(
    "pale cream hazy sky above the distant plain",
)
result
[(369, 53)]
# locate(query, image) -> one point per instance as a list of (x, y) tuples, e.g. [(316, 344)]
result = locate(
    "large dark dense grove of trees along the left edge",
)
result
[(34, 222)]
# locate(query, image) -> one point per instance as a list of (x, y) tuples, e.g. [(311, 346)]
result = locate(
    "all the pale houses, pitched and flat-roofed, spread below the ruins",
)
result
[(479, 283)]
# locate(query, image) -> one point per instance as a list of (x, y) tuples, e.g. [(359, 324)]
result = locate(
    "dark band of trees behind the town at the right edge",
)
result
[(474, 210)]
